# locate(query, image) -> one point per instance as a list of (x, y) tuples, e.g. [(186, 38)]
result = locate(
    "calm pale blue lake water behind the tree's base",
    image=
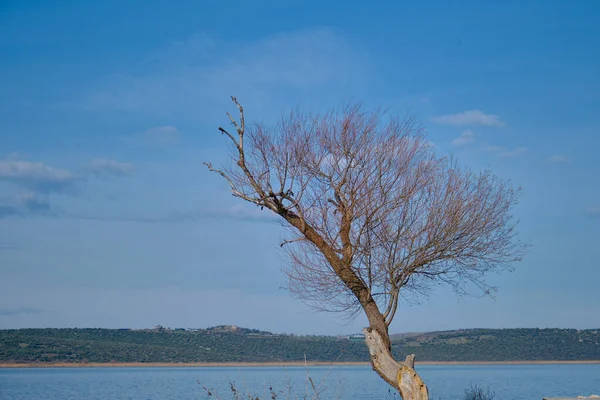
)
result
[(356, 382)]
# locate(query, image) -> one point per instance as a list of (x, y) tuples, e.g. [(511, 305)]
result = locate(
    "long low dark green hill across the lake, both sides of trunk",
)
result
[(234, 344)]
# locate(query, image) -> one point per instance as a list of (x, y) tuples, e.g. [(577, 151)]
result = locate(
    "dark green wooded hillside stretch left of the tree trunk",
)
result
[(111, 345)]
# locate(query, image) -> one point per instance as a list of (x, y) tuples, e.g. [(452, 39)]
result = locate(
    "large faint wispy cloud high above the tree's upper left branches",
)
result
[(194, 78)]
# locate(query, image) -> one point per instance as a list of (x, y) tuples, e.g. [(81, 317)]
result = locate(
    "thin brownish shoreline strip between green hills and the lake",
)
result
[(274, 364)]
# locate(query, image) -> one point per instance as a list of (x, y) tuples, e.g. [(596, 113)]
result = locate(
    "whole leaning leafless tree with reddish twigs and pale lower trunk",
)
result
[(373, 215)]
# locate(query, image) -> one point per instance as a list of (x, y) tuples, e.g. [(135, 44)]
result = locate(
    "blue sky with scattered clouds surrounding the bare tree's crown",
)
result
[(108, 109)]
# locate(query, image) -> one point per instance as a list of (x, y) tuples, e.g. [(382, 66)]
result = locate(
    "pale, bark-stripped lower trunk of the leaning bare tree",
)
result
[(402, 376)]
